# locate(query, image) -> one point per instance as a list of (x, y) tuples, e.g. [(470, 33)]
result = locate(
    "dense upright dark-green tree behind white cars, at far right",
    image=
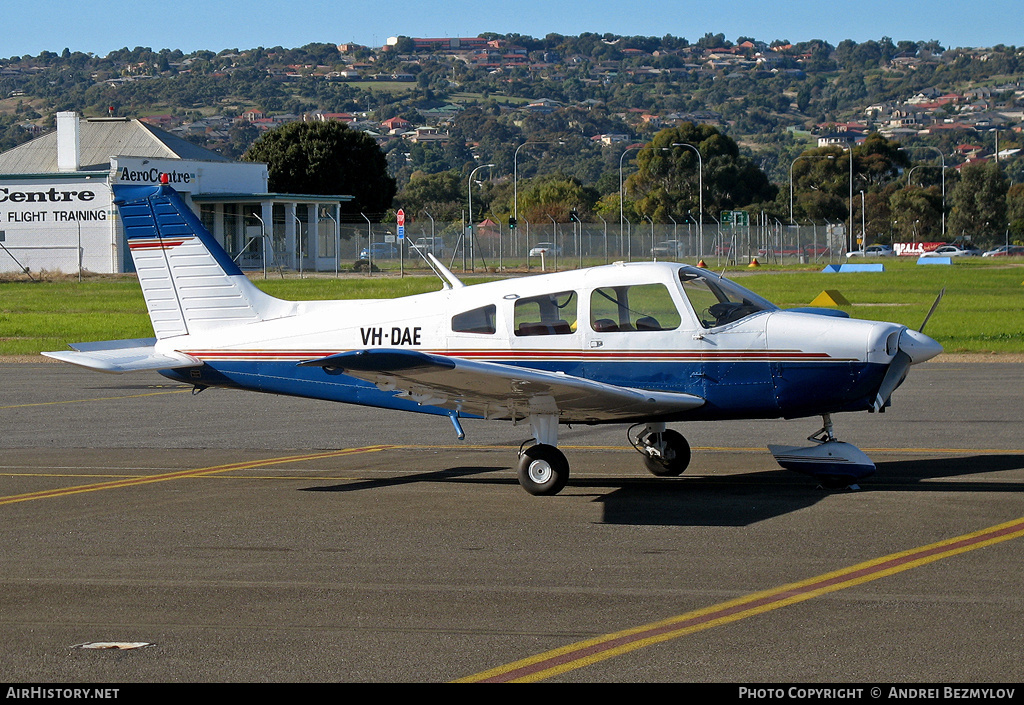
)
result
[(979, 204)]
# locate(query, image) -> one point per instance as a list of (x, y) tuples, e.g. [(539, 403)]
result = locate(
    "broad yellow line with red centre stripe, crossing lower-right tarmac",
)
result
[(600, 649)]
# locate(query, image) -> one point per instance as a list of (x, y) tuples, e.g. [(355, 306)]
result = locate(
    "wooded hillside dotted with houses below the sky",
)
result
[(447, 105)]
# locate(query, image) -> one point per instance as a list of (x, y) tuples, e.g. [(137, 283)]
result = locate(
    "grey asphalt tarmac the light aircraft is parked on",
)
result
[(247, 538)]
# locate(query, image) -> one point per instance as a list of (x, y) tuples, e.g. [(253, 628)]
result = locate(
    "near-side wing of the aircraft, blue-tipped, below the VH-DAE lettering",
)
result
[(497, 391)]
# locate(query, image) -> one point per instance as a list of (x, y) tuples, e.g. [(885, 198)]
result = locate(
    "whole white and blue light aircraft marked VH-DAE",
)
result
[(644, 344)]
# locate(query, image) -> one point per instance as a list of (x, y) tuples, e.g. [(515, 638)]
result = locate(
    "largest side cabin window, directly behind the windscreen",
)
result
[(638, 308)]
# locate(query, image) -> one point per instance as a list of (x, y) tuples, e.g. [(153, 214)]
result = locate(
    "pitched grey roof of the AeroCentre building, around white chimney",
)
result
[(102, 139)]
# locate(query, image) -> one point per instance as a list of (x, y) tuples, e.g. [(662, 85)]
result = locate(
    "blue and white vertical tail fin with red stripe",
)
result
[(191, 285)]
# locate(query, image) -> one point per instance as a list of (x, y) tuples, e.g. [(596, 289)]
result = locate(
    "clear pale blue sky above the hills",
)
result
[(189, 25)]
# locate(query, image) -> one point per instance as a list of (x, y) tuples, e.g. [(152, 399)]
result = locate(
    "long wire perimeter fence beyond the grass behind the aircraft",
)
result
[(533, 247)]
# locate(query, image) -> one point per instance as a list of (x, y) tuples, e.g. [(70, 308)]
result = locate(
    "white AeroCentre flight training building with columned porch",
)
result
[(57, 211)]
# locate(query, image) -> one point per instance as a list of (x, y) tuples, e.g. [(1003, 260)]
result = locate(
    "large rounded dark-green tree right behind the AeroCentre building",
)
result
[(326, 158)]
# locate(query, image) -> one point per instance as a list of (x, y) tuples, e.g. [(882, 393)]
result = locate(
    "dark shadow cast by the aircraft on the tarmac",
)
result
[(730, 501)]
